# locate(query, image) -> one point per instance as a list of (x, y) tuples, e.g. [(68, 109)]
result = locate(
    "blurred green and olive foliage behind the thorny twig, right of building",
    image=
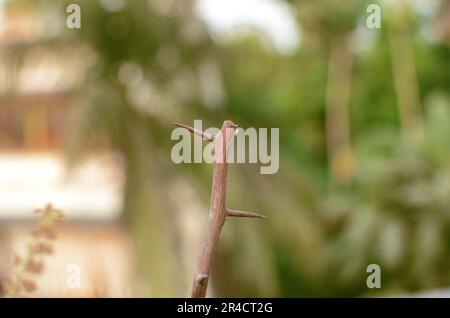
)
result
[(321, 235)]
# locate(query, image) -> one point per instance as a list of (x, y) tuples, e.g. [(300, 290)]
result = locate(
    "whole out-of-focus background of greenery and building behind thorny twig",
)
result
[(364, 118)]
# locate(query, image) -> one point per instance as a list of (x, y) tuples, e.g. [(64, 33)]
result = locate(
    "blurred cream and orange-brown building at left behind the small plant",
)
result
[(36, 81)]
